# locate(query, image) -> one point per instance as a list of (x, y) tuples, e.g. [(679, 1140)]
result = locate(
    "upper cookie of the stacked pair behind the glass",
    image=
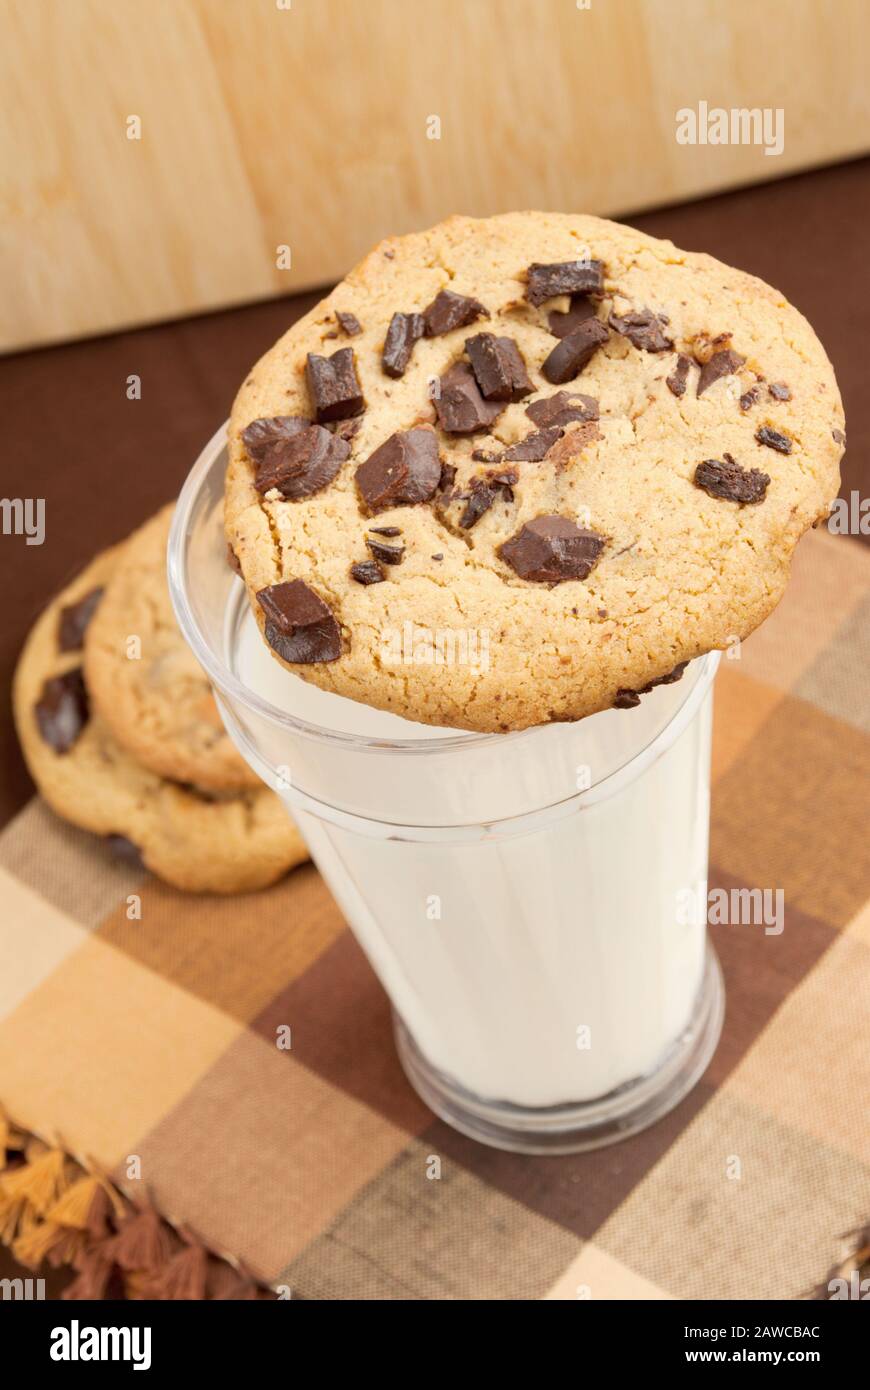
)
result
[(144, 682)]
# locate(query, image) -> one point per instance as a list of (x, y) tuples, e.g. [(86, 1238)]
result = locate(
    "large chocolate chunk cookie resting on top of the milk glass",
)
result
[(548, 439)]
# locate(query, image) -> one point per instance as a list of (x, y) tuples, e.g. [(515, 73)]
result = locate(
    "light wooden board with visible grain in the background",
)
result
[(265, 126)]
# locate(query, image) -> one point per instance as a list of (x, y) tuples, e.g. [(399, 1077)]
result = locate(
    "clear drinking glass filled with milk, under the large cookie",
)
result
[(534, 904)]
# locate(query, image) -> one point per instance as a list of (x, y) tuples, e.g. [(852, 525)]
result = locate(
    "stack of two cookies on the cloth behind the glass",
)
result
[(123, 737)]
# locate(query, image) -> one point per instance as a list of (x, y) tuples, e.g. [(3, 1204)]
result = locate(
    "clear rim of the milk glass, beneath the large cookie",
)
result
[(233, 689)]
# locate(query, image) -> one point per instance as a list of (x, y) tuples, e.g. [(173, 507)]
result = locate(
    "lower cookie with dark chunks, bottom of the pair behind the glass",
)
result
[(220, 843)]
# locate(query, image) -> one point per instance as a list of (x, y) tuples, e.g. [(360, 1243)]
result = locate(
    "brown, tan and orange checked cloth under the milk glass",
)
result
[(156, 1038)]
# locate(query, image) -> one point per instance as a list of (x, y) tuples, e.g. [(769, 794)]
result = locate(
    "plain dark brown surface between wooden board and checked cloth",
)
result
[(105, 464)]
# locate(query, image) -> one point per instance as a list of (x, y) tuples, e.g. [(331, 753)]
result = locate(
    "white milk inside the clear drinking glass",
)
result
[(541, 970)]
